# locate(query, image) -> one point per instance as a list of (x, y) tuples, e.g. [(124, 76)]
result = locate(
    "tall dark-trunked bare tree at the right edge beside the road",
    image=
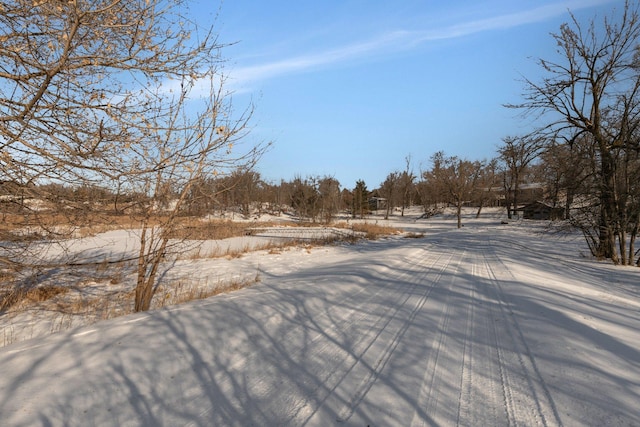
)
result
[(592, 92)]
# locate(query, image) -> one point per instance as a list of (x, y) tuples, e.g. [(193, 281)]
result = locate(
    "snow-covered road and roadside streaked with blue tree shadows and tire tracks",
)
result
[(489, 325)]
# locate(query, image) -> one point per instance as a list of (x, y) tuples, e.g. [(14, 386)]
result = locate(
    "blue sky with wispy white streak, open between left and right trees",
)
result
[(350, 88)]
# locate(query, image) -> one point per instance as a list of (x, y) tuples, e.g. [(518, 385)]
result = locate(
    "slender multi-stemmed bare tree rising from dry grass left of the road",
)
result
[(185, 148)]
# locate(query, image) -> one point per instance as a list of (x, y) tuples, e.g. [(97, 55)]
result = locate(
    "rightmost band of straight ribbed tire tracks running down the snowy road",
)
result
[(495, 379)]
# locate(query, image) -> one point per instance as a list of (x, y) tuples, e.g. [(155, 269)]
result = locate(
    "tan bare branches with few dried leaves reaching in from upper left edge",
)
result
[(71, 78)]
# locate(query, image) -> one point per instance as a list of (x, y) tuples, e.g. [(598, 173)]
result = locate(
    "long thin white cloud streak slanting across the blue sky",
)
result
[(401, 40)]
